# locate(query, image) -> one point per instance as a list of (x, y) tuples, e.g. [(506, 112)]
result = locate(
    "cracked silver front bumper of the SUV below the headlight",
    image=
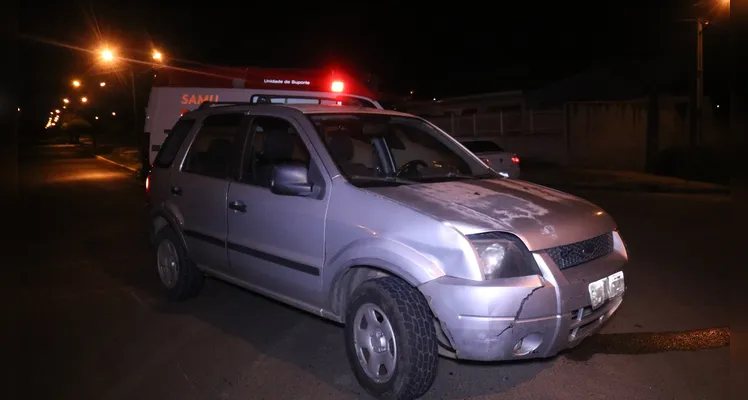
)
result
[(520, 318)]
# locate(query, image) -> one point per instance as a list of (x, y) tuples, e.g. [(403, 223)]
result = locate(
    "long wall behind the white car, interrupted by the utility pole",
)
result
[(604, 135)]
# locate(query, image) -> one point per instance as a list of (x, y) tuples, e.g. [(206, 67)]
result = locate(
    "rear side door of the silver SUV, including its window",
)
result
[(198, 189)]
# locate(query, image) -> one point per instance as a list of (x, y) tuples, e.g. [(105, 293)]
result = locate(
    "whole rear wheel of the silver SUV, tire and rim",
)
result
[(179, 275)]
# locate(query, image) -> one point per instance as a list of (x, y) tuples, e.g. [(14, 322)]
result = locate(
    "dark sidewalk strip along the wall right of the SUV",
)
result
[(578, 178)]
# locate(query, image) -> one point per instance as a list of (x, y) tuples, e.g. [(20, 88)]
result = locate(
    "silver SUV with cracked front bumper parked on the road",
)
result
[(381, 221)]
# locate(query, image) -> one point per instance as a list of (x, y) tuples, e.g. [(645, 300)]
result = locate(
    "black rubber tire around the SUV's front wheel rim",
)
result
[(412, 324)]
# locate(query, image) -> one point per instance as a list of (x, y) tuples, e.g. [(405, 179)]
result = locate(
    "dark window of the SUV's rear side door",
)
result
[(212, 151)]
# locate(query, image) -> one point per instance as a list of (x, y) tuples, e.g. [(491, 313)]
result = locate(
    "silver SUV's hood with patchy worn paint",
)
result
[(540, 216)]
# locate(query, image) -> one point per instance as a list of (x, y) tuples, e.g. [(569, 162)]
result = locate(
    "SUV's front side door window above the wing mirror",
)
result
[(271, 142)]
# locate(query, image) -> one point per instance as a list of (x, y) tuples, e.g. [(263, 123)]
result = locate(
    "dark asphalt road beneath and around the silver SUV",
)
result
[(87, 320)]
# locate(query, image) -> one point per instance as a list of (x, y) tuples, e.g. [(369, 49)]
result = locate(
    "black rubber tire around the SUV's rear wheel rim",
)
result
[(189, 279)]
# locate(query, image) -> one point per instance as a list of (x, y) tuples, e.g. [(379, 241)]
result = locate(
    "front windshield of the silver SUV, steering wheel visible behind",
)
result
[(376, 150)]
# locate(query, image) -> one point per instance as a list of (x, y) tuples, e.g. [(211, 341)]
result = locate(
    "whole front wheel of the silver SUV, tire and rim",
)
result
[(390, 339)]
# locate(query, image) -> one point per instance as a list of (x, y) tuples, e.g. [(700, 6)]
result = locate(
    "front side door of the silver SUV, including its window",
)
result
[(276, 242)]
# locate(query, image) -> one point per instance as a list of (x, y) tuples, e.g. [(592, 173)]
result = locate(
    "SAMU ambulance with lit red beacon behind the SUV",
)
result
[(177, 91)]
